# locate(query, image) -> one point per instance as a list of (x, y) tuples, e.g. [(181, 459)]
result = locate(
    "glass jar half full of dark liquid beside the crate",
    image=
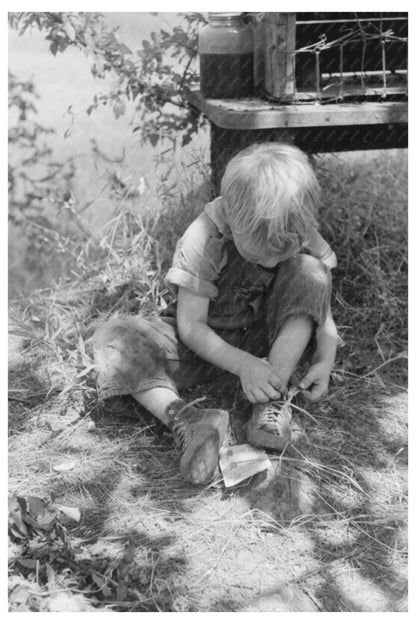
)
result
[(225, 48)]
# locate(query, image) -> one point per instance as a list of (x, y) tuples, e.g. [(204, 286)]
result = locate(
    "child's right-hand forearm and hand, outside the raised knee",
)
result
[(316, 381)]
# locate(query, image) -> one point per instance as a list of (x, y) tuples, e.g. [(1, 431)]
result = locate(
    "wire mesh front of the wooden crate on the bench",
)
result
[(349, 57)]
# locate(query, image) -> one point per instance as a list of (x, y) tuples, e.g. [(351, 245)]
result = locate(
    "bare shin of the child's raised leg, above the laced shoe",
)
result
[(290, 344)]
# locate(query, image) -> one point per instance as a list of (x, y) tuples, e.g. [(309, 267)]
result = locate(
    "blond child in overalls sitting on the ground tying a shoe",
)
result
[(253, 291)]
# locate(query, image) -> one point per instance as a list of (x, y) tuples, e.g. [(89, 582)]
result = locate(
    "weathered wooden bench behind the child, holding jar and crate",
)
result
[(312, 126)]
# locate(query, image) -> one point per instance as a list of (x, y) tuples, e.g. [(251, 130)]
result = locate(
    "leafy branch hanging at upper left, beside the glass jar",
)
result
[(154, 77)]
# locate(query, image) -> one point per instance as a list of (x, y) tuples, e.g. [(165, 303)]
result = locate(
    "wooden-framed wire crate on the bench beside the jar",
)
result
[(333, 56)]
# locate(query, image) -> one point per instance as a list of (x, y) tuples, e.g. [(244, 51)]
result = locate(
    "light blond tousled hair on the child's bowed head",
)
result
[(271, 192)]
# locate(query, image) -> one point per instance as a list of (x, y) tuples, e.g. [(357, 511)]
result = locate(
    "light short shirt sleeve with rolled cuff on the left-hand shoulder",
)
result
[(198, 259)]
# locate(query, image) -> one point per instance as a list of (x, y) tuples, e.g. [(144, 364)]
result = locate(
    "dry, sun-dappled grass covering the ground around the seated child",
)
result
[(324, 531)]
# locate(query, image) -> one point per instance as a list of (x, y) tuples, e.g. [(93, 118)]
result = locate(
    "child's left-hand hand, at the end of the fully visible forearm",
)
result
[(259, 380)]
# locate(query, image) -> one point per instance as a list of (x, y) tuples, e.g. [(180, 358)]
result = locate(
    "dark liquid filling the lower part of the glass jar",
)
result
[(226, 75)]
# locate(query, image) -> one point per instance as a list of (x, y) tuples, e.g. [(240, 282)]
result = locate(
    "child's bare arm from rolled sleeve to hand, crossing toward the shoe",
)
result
[(258, 379)]
